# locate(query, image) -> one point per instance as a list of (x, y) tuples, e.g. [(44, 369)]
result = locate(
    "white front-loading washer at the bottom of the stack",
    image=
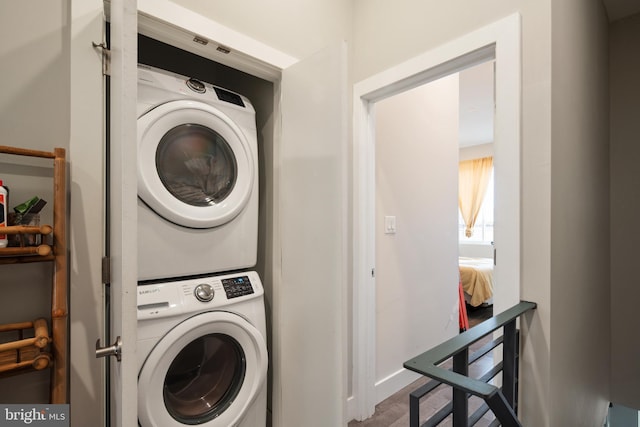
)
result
[(202, 353)]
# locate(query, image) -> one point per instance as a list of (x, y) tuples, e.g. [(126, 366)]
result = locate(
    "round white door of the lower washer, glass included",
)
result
[(206, 371)]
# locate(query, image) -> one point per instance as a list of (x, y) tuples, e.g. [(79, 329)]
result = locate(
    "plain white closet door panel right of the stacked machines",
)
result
[(310, 304)]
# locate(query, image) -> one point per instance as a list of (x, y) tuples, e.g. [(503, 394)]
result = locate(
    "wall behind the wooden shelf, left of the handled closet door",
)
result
[(41, 109)]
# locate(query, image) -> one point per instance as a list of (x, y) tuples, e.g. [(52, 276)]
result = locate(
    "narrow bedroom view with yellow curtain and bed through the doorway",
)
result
[(476, 219)]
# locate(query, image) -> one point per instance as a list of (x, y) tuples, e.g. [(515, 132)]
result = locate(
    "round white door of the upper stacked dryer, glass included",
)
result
[(196, 166)]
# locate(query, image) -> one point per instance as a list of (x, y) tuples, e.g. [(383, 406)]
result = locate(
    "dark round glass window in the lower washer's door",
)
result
[(204, 379)]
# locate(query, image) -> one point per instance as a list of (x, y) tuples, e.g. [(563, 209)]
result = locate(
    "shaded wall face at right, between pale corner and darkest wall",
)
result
[(580, 276)]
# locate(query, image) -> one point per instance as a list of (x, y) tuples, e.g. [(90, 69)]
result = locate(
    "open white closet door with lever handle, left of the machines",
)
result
[(122, 214)]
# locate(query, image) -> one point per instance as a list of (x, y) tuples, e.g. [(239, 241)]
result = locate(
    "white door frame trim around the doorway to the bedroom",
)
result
[(499, 40)]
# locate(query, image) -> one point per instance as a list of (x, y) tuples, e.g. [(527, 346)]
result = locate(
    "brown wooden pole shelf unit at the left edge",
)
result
[(57, 254)]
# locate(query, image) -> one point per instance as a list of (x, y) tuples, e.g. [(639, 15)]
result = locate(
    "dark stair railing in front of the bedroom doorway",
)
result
[(501, 401)]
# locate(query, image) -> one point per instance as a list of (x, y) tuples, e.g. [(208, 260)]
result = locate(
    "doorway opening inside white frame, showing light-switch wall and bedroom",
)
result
[(421, 135)]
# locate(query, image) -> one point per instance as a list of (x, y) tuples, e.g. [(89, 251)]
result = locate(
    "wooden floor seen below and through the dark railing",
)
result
[(394, 411)]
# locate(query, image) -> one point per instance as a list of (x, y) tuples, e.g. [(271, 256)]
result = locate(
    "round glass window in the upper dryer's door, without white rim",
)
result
[(196, 165)]
